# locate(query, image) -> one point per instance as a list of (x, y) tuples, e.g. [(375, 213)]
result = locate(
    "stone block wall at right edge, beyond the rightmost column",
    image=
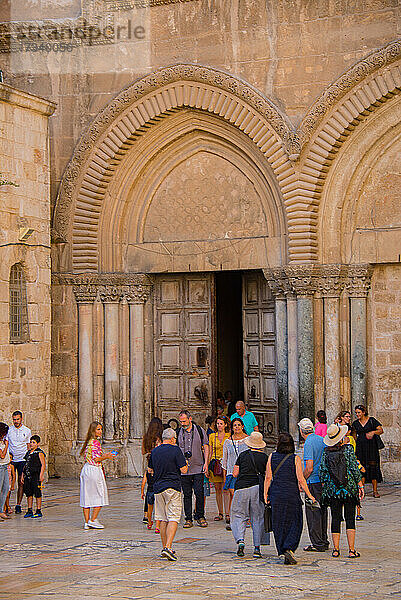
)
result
[(385, 362)]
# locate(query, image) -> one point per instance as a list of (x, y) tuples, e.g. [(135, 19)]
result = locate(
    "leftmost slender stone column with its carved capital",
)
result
[(85, 296)]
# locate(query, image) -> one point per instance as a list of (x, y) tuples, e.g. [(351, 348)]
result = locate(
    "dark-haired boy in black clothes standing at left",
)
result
[(33, 475)]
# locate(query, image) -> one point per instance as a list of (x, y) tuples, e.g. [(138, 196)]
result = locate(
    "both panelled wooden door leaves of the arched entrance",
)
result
[(188, 346)]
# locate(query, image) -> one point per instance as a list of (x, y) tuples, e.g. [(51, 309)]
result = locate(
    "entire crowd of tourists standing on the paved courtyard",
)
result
[(181, 464)]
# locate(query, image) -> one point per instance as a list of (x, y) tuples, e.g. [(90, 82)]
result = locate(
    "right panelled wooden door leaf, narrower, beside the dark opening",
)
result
[(260, 389)]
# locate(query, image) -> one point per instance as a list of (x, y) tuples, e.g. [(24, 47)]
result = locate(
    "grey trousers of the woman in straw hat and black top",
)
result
[(246, 505)]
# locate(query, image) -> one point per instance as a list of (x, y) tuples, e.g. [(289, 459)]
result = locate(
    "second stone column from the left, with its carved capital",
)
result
[(110, 296)]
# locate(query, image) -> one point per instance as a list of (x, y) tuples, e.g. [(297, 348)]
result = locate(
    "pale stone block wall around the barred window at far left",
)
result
[(24, 160)]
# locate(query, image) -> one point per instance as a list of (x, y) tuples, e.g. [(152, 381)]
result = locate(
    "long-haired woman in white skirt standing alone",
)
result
[(93, 488)]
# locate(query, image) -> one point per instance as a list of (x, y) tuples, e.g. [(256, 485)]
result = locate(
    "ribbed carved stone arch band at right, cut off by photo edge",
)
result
[(336, 114)]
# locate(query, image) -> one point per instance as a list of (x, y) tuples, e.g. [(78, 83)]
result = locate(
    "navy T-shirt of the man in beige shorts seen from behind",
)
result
[(166, 461)]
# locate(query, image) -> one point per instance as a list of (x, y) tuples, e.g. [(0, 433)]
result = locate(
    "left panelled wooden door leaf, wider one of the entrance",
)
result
[(184, 326)]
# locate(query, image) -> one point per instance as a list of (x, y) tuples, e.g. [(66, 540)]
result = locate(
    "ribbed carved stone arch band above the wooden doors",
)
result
[(117, 128)]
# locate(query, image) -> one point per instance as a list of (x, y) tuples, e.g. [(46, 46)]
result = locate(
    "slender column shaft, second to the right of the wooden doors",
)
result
[(293, 381)]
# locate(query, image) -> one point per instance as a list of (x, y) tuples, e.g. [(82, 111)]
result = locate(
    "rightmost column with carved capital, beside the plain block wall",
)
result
[(358, 284)]
